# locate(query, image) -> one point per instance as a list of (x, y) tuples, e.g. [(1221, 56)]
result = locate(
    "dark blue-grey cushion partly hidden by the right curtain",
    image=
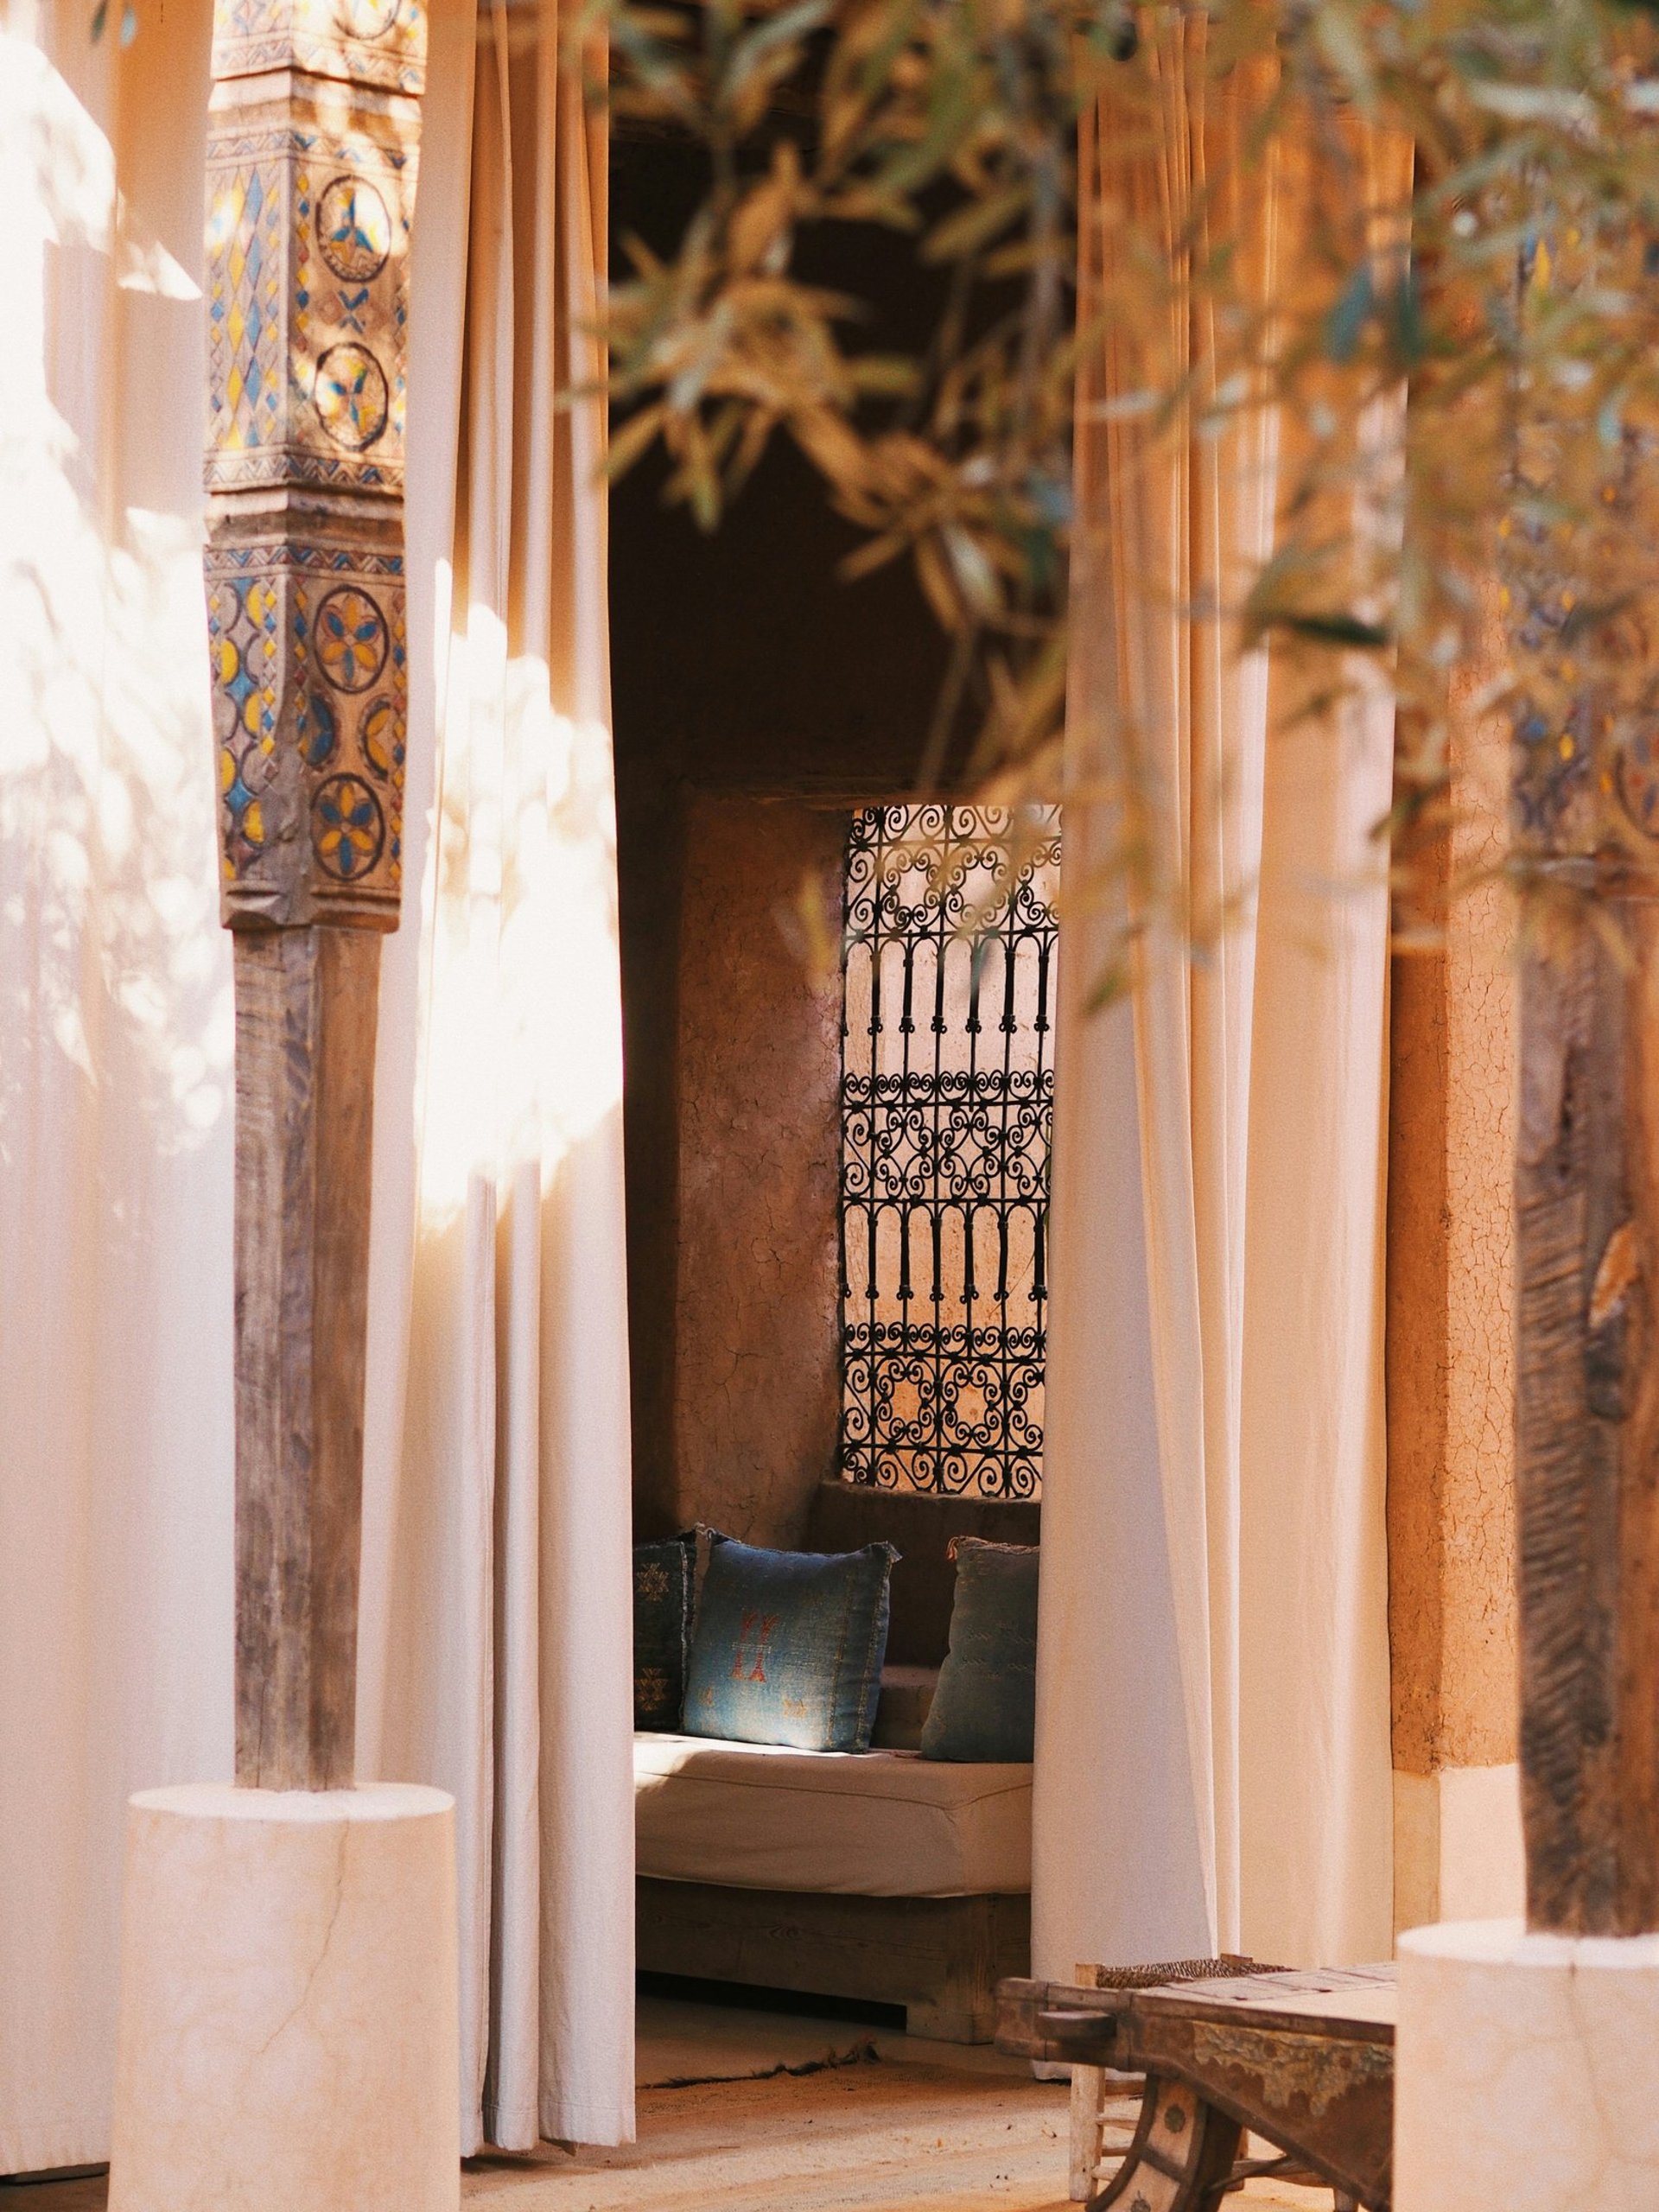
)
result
[(985, 1704)]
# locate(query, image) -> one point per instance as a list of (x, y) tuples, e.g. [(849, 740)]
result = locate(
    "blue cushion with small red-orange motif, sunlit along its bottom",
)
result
[(789, 1647)]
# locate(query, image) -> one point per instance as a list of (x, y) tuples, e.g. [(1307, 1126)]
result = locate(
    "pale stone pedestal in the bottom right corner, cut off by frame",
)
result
[(1527, 2072)]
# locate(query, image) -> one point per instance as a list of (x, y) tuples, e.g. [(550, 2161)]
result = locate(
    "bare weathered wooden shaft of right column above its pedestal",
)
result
[(1587, 1463)]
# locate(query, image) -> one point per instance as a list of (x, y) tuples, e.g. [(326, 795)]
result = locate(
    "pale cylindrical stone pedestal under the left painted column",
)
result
[(289, 2003)]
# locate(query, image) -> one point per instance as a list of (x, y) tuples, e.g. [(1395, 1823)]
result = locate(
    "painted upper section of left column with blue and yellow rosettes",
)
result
[(313, 147)]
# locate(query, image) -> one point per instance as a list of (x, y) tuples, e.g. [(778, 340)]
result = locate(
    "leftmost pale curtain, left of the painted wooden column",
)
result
[(116, 1545)]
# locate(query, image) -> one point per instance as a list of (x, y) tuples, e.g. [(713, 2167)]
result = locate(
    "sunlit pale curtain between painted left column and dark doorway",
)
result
[(497, 1607)]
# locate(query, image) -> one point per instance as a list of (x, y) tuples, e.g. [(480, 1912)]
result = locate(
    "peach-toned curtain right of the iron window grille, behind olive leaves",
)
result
[(1213, 1711)]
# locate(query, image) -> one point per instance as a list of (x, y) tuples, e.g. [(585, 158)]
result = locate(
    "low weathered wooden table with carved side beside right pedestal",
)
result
[(1304, 2060)]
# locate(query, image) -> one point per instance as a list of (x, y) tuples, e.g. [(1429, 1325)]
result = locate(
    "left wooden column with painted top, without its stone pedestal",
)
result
[(311, 194)]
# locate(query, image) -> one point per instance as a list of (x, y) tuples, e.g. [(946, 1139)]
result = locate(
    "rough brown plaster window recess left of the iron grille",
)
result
[(758, 1288)]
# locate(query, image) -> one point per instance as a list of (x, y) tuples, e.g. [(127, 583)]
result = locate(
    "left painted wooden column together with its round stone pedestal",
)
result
[(289, 1965)]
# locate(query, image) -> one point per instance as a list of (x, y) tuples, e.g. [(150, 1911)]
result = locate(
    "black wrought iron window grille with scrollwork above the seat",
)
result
[(946, 1120)]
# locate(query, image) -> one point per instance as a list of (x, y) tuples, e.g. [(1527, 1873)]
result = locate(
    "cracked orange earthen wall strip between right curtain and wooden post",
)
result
[(1452, 1313)]
